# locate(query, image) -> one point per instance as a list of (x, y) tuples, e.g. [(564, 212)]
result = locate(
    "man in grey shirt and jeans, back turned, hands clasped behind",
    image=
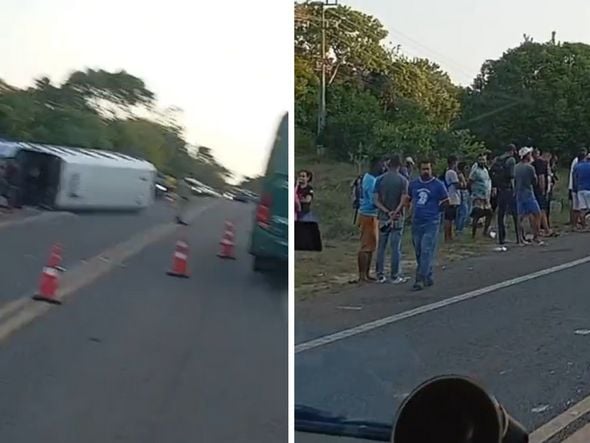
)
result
[(389, 195)]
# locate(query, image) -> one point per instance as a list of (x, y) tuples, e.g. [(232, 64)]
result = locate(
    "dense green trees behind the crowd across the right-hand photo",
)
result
[(379, 101)]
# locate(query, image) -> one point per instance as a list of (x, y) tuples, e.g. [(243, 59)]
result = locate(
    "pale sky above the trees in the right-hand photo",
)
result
[(461, 34)]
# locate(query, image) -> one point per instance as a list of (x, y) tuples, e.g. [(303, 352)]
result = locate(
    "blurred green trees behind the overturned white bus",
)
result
[(104, 110)]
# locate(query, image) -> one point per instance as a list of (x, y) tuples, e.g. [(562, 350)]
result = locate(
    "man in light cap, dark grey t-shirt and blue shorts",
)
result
[(525, 180)]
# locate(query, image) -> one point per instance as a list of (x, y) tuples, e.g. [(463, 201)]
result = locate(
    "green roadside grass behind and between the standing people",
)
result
[(331, 270)]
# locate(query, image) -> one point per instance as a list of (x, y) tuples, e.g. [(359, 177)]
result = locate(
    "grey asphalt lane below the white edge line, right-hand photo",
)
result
[(527, 343)]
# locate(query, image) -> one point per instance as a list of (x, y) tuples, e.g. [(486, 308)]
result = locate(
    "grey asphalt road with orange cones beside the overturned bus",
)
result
[(139, 356)]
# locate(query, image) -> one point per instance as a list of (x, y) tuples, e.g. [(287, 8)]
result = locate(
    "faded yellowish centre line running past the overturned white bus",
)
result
[(18, 313)]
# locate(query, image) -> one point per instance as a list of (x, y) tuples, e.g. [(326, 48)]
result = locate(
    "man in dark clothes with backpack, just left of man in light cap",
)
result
[(502, 175)]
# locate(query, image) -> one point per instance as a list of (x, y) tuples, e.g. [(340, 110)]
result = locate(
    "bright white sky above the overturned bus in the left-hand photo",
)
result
[(228, 64)]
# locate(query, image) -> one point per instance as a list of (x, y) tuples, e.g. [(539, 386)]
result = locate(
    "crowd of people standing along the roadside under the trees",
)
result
[(518, 183)]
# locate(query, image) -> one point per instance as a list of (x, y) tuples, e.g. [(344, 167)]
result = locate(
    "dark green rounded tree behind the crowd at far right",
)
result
[(538, 91)]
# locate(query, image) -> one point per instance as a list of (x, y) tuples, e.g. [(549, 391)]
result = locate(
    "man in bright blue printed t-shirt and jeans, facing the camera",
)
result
[(428, 196)]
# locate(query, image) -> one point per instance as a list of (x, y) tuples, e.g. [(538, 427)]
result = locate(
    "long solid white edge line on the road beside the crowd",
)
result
[(379, 323)]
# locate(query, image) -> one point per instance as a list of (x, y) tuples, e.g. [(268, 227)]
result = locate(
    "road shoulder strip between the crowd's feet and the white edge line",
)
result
[(353, 305)]
